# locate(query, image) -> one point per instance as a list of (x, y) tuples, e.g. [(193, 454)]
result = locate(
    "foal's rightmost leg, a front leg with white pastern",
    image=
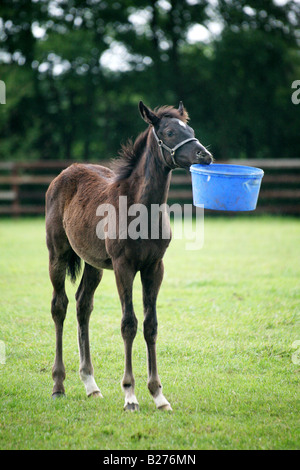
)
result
[(151, 279)]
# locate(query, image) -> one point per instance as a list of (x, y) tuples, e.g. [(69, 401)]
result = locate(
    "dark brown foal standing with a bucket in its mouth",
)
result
[(143, 175)]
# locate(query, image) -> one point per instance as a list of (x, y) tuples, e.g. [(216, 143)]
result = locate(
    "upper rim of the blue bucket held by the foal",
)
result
[(219, 169)]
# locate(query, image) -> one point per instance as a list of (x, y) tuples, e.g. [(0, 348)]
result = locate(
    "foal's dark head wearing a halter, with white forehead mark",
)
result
[(176, 139)]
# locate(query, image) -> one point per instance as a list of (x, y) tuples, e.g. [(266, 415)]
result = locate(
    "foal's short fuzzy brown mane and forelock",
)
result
[(130, 153)]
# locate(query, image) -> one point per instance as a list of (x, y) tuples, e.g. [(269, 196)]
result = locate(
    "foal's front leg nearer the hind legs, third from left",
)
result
[(125, 274)]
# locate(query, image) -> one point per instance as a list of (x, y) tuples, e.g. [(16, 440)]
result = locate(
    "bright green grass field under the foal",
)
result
[(228, 316)]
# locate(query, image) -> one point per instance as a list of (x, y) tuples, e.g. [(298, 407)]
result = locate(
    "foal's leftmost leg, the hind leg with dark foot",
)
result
[(57, 271)]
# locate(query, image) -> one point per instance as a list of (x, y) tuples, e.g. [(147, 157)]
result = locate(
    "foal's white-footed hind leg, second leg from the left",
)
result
[(84, 296)]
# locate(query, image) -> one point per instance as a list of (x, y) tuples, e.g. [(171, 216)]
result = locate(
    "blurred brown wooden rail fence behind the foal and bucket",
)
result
[(23, 186)]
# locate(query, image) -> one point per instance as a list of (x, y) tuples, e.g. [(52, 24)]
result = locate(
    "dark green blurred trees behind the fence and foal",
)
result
[(64, 102)]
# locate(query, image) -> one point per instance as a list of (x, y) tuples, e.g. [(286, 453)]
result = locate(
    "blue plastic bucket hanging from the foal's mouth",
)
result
[(226, 187)]
